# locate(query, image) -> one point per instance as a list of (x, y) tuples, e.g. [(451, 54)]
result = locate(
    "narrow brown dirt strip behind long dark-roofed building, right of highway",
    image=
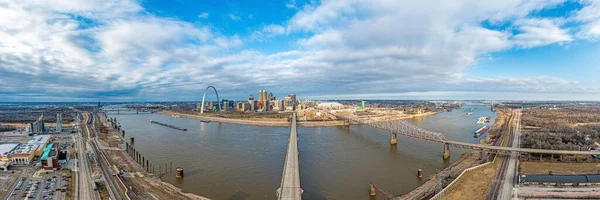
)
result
[(559, 168)]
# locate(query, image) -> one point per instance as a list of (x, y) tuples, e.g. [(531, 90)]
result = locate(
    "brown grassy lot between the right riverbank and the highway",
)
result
[(473, 185)]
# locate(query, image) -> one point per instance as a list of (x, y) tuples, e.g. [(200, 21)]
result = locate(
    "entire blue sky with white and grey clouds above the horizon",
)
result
[(154, 50)]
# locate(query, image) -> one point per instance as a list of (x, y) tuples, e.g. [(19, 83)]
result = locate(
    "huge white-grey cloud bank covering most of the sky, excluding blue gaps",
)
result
[(347, 47)]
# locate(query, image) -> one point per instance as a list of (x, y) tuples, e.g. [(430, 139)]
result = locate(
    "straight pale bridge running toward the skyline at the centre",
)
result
[(290, 179)]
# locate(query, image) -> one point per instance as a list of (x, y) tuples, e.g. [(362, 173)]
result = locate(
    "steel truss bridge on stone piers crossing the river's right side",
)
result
[(403, 127)]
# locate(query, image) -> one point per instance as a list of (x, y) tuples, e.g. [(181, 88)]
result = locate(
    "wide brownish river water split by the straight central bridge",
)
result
[(232, 161)]
